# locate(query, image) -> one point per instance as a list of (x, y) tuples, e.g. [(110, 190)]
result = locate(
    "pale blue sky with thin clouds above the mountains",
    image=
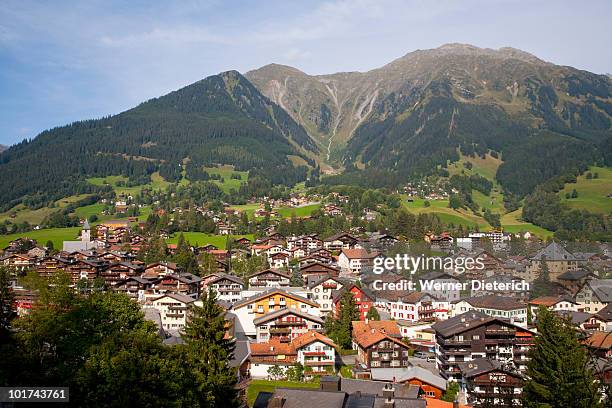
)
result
[(62, 61)]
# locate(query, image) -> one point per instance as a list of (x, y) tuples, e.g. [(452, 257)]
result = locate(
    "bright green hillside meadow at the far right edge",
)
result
[(592, 194)]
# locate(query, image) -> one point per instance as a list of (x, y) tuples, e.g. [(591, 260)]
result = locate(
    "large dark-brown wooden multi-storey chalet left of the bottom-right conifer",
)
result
[(473, 335)]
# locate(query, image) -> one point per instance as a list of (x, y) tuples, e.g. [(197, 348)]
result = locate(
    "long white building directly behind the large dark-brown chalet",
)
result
[(494, 306)]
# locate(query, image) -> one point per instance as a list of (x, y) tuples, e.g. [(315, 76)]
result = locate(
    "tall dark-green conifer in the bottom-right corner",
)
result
[(558, 370)]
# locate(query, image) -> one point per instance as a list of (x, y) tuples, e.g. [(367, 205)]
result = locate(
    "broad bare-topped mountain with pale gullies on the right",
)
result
[(417, 113)]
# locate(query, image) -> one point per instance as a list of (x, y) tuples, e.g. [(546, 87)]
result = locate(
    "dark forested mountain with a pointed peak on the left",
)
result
[(222, 119)]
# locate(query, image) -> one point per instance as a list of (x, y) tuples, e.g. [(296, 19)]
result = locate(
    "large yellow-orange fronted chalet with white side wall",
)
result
[(247, 310)]
